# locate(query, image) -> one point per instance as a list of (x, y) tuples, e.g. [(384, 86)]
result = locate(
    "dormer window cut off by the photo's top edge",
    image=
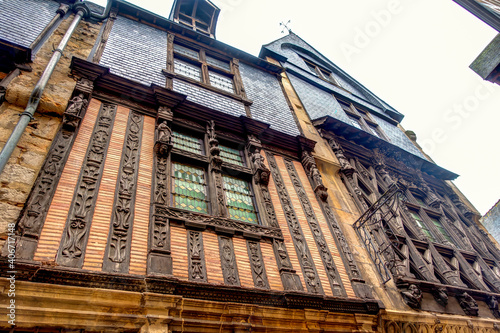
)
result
[(199, 15)]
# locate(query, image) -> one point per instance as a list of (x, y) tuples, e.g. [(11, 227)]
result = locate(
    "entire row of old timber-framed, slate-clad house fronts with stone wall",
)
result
[(172, 183)]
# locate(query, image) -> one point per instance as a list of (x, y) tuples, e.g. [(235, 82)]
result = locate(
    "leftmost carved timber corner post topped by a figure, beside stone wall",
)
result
[(35, 210)]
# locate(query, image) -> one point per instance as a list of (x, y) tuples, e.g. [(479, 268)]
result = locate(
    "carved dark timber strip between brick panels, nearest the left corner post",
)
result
[(75, 234)]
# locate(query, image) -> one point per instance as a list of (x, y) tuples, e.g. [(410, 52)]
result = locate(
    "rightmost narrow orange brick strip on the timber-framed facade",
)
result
[(326, 230)]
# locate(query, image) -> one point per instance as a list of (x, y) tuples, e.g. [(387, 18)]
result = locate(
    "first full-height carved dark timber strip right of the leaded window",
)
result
[(311, 277)]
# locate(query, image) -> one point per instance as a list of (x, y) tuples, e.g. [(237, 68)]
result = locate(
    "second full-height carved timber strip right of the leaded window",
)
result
[(326, 256)]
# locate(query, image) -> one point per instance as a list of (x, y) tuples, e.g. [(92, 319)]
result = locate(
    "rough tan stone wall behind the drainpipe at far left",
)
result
[(23, 166)]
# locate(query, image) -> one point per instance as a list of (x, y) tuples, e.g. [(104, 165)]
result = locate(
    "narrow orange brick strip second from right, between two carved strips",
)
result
[(306, 230)]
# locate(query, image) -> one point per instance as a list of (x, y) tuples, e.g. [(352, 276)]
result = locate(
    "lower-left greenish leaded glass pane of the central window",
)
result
[(189, 188)]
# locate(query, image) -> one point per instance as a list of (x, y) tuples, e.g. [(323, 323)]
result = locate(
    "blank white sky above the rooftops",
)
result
[(413, 54)]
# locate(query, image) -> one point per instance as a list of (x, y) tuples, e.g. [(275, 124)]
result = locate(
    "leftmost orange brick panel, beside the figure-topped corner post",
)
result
[(57, 214)]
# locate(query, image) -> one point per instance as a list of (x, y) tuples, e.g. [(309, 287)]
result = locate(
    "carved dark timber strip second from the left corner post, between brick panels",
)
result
[(117, 254)]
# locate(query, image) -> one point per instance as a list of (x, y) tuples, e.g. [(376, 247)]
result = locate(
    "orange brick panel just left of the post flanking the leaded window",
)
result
[(139, 247)]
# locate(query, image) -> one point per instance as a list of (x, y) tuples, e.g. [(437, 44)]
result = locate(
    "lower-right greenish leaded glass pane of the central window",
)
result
[(239, 200)]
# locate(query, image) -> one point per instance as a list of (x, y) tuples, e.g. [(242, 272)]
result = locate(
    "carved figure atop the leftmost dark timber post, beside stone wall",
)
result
[(77, 105)]
